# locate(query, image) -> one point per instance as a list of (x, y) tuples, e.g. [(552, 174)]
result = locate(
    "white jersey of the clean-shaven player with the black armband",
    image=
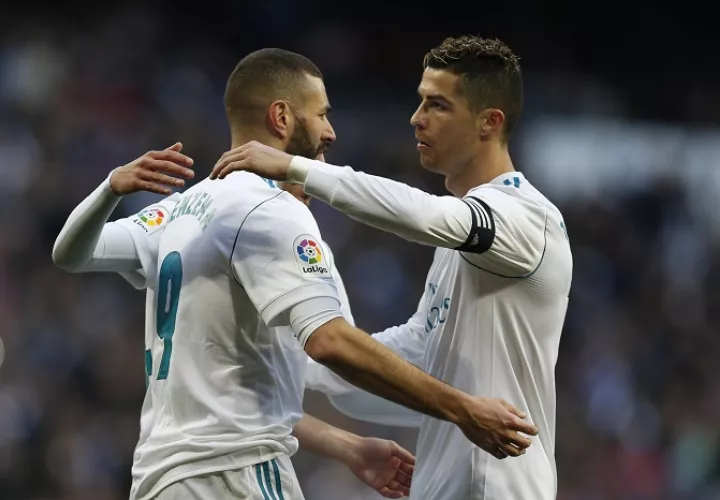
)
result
[(490, 321)]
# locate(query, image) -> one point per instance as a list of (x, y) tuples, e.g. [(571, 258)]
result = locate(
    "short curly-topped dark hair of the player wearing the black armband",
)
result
[(490, 75)]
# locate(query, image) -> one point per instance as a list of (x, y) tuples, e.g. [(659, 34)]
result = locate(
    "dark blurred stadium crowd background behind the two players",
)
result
[(619, 130)]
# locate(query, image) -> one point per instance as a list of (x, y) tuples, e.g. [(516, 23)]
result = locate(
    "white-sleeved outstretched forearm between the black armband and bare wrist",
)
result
[(412, 214)]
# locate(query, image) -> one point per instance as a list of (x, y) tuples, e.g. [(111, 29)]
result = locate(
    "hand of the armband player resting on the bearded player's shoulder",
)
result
[(254, 157)]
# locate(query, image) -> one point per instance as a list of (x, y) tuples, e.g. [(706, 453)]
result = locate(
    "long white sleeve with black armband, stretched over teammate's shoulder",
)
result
[(501, 233)]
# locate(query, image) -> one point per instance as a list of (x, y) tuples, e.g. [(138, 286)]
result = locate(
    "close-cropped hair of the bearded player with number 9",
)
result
[(262, 77)]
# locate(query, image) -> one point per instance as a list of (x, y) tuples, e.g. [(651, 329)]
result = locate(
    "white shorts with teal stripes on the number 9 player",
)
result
[(271, 480)]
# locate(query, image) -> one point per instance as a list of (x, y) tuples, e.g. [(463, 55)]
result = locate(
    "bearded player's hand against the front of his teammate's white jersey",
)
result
[(495, 425)]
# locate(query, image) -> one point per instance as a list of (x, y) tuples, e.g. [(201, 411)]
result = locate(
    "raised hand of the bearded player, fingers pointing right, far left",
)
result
[(154, 172)]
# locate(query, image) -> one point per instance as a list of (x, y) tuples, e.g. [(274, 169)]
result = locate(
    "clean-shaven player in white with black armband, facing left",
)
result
[(490, 318)]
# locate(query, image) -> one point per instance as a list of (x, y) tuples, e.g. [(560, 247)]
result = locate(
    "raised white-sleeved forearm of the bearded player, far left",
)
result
[(79, 237)]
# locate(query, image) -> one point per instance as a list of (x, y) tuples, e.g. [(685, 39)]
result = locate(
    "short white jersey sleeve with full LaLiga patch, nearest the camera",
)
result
[(279, 258)]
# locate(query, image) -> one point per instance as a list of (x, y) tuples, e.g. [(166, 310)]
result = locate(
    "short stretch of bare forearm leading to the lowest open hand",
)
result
[(323, 439)]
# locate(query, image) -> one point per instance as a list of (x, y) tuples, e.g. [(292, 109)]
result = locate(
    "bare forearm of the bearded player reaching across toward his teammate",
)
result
[(362, 361)]
